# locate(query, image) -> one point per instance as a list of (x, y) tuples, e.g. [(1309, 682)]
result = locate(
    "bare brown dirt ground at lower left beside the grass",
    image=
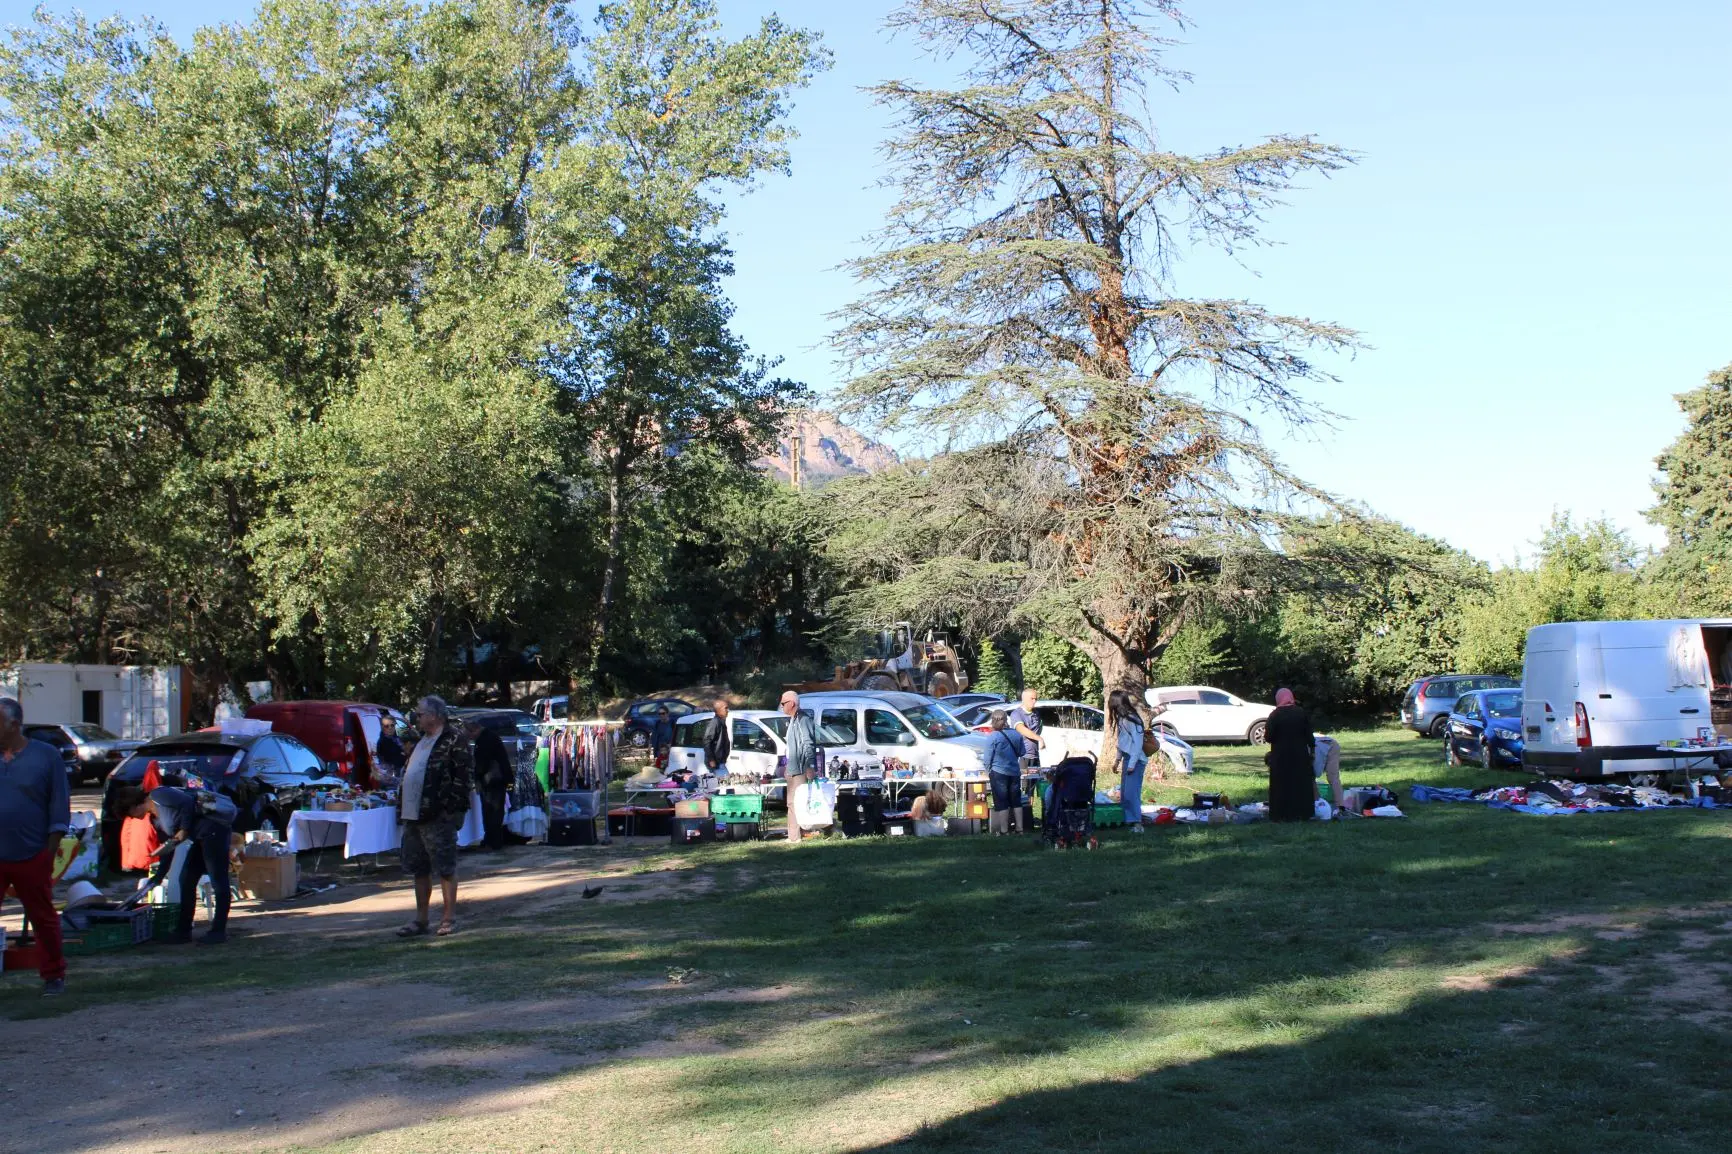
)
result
[(314, 1065)]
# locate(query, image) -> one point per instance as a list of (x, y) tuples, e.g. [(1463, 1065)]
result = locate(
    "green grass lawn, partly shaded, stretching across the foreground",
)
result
[(1463, 980)]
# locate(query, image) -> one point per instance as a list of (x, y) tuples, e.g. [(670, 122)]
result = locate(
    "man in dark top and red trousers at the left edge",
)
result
[(36, 812)]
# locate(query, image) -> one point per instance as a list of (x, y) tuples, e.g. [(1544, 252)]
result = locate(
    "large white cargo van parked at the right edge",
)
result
[(1600, 696)]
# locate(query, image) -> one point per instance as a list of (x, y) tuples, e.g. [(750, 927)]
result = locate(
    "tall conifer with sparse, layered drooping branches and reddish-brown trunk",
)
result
[(1024, 313)]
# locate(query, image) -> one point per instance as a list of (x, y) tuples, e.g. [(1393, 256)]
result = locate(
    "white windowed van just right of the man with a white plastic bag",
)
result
[(908, 727)]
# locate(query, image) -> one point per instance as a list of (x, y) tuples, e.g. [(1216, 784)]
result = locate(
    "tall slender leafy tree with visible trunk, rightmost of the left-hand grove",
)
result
[(673, 113)]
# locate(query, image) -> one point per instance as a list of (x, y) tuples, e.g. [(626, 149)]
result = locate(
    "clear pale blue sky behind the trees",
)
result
[(1535, 245)]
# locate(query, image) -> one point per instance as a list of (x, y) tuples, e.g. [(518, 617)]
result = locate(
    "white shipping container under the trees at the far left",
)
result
[(134, 703)]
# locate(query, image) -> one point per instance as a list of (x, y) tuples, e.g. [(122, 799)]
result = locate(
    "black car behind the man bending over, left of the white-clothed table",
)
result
[(276, 772)]
